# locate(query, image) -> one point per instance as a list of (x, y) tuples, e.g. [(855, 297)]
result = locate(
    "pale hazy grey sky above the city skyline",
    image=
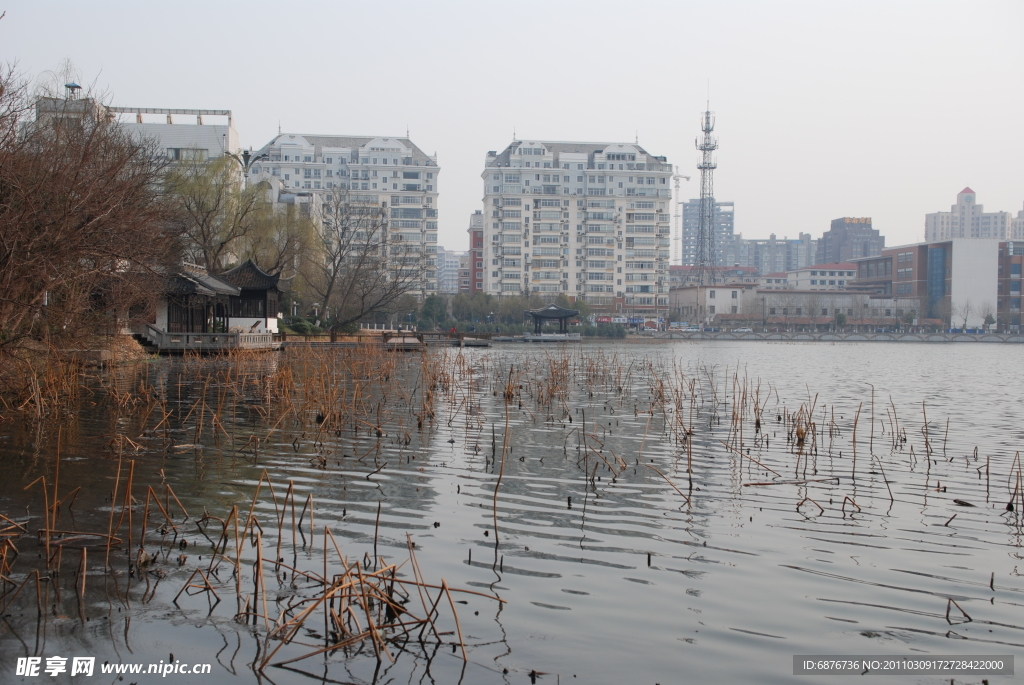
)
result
[(825, 109)]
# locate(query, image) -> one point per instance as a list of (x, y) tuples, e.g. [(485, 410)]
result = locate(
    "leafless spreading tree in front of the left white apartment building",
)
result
[(358, 267)]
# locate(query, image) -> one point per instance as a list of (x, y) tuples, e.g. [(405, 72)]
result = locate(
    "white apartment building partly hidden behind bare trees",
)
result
[(372, 172)]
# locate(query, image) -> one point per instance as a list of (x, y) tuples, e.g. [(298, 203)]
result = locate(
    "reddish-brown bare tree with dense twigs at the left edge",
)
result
[(84, 236)]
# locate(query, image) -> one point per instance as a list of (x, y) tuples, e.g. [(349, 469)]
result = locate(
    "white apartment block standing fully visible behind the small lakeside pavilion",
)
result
[(588, 220)]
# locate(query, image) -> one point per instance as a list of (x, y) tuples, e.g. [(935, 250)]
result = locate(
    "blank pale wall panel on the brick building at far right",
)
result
[(975, 280)]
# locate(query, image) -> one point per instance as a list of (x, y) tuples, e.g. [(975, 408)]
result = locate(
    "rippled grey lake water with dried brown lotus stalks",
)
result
[(636, 512)]
